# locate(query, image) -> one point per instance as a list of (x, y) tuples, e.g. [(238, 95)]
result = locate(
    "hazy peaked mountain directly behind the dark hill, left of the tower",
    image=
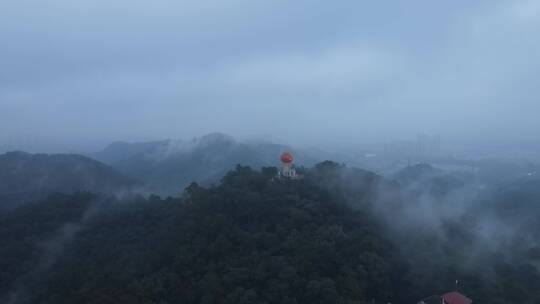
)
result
[(169, 166)]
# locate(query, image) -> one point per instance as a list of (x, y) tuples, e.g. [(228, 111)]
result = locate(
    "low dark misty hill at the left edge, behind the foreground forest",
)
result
[(28, 177)]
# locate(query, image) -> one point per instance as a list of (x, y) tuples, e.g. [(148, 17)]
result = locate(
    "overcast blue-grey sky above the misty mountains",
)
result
[(80, 73)]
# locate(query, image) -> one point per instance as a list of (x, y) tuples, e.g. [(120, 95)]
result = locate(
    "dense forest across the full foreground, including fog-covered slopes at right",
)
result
[(339, 235)]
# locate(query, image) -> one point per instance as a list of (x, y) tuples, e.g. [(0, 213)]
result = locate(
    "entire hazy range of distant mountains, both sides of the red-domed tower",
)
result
[(166, 167)]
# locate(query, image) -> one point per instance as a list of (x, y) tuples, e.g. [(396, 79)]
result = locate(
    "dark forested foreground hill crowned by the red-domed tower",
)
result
[(252, 239)]
